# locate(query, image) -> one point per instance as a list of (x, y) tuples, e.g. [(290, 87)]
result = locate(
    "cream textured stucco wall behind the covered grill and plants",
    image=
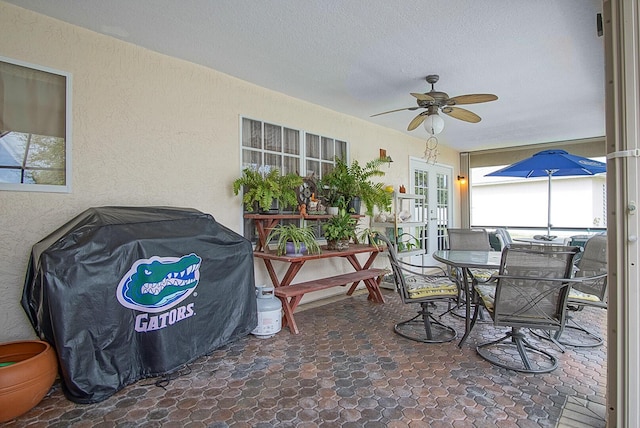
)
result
[(153, 130)]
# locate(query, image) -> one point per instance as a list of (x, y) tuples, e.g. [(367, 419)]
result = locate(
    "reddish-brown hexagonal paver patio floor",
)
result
[(347, 368)]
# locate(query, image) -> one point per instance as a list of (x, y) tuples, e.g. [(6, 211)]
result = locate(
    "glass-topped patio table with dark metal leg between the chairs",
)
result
[(465, 260)]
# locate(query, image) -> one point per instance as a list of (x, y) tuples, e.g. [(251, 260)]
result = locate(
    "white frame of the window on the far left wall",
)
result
[(48, 188)]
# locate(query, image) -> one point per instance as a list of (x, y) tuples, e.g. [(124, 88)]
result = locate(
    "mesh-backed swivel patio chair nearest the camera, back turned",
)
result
[(532, 290)]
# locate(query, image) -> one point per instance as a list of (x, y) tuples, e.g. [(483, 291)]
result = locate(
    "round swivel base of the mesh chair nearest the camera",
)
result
[(517, 354)]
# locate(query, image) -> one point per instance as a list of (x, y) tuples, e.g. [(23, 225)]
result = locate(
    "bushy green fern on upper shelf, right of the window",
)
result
[(353, 183)]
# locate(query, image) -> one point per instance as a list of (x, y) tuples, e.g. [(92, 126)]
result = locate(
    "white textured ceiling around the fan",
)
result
[(542, 58)]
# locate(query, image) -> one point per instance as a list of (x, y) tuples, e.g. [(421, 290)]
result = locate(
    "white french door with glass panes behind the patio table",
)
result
[(435, 182)]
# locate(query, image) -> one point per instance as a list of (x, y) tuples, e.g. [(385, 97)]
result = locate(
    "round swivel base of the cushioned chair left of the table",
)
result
[(424, 327)]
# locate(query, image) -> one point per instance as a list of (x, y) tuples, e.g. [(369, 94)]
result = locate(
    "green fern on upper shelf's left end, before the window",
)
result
[(261, 190)]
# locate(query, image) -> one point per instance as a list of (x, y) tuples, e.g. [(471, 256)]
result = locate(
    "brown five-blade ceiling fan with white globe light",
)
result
[(435, 101)]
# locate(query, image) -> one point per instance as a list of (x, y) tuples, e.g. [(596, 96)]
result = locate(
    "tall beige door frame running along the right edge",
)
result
[(621, 20)]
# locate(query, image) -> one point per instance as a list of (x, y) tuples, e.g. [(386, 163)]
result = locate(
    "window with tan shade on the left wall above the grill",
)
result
[(35, 106)]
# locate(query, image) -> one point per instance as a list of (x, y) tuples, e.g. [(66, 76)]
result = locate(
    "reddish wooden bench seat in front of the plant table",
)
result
[(290, 295)]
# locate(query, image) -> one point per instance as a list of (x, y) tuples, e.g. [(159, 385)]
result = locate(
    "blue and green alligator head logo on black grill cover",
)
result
[(159, 283)]
